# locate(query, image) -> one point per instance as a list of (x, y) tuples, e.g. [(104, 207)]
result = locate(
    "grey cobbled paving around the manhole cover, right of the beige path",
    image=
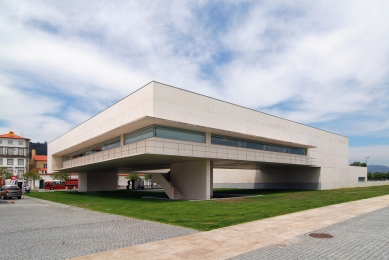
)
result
[(362, 237)]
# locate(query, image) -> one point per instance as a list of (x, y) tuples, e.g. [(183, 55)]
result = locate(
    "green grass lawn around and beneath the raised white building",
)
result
[(208, 215)]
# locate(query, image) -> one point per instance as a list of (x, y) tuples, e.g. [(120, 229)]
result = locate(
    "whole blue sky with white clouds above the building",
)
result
[(321, 63)]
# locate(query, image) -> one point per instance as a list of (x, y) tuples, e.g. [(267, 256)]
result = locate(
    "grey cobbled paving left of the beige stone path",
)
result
[(39, 229)]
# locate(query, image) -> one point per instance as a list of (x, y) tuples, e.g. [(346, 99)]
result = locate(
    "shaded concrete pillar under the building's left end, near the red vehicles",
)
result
[(97, 181)]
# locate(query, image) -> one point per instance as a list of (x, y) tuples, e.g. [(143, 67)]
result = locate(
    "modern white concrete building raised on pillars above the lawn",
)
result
[(203, 143)]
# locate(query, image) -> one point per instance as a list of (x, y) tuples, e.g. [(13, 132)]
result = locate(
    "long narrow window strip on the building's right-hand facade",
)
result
[(235, 142)]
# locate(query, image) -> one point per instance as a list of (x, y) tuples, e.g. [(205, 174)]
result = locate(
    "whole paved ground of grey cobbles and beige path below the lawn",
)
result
[(37, 229)]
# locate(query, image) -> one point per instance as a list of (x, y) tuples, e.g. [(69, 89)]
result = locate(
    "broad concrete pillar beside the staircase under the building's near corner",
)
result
[(193, 179)]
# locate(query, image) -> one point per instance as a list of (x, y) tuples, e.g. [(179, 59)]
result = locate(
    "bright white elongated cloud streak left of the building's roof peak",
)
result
[(65, 63)]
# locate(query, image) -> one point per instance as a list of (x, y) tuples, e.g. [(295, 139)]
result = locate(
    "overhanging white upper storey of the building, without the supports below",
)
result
[(158, 125)]
